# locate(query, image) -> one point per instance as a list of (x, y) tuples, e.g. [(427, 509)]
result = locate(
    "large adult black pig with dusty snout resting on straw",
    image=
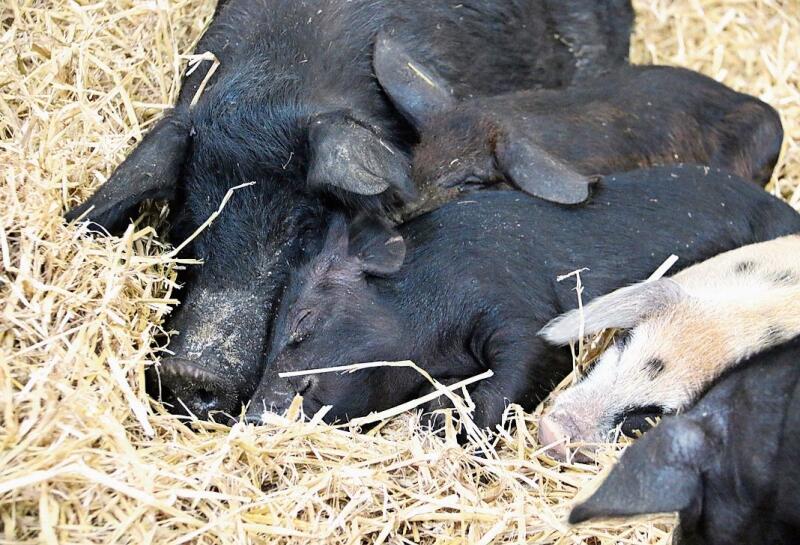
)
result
[(294, 106)]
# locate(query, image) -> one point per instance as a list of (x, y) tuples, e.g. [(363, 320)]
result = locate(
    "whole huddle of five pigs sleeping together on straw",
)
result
[(410, 180)]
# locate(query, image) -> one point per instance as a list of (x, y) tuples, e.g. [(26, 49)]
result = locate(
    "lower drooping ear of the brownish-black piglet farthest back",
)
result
[(536, 172)]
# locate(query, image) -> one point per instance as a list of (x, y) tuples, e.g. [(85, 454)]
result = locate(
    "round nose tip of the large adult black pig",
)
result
[(188, 386)]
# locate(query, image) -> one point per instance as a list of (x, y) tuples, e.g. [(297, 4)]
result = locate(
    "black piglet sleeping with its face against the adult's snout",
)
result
[(478, 282)]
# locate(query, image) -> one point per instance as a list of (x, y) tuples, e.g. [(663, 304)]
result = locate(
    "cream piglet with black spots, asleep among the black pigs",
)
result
[(680, 334)]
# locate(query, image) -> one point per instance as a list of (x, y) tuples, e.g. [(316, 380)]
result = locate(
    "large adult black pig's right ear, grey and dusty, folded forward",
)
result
[(348, 155)]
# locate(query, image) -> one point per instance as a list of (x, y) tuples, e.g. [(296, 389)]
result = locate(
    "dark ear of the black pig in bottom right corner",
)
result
[(658, 474)]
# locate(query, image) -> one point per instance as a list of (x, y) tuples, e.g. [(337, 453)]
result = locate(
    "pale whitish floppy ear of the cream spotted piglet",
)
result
[(622, 309)]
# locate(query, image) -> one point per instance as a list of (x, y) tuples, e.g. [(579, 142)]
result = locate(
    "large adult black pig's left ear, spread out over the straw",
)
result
[(150, 172)]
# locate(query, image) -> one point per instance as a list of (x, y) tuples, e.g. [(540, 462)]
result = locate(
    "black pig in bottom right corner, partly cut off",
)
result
[(729, 465)]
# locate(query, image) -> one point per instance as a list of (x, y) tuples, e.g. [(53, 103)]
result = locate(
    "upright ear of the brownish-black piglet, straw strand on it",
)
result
[(417, 91)]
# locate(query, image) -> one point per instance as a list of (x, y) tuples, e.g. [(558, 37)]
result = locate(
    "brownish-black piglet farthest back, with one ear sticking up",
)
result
[(551, 143)]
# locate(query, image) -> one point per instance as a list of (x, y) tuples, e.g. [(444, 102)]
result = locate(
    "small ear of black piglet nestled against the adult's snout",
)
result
[(378, 248)]
